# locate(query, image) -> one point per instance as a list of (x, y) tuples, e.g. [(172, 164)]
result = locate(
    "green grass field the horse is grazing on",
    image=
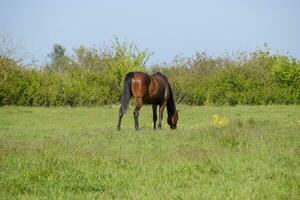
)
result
[(62, 153)]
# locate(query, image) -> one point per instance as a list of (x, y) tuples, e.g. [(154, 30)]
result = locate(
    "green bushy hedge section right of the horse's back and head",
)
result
[(256, 78)]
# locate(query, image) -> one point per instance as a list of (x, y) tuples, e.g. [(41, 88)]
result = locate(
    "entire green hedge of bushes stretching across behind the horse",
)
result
[(94, 77)]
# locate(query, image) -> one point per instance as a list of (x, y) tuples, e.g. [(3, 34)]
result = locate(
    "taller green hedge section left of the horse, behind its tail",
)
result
[(92, 77)]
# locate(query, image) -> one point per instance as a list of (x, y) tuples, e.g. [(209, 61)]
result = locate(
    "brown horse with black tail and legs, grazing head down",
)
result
[(155, 90)]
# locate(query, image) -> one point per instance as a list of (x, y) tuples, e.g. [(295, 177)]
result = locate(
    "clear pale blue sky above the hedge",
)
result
[(165, 27)]
